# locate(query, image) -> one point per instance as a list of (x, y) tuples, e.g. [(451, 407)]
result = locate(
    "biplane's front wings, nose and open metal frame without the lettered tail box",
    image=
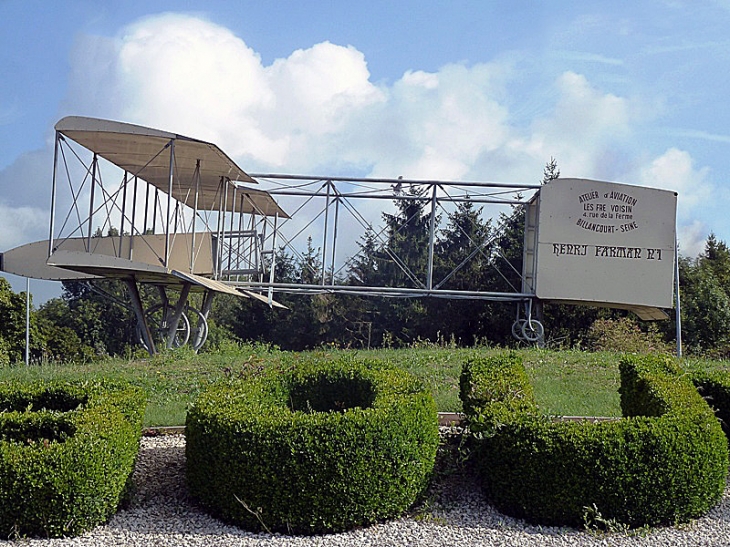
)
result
[(180, 215)]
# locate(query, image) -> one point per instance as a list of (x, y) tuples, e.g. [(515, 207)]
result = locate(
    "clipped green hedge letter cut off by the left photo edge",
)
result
[(67, 451)]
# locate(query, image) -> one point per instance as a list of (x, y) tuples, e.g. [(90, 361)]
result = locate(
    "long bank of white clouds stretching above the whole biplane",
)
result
[(317, 110)]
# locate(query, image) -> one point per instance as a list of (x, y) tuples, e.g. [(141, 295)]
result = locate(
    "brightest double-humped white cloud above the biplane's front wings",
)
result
[(188, 75)]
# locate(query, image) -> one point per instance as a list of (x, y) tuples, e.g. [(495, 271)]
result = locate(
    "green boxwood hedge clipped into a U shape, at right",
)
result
[(665, 462)]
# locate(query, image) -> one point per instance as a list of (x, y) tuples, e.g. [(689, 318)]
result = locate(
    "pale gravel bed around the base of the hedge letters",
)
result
[(454, 514)]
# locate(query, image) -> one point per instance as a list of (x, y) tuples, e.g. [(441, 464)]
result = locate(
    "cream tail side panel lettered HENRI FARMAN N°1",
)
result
[(605, 243)]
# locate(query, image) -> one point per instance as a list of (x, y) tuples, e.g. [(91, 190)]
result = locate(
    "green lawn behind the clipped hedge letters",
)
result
[(568, 383)]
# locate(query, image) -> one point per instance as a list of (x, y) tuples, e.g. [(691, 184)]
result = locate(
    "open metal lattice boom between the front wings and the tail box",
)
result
[(336, 204)]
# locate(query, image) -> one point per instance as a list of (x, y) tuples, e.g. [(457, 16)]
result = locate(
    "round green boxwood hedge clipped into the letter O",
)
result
[(323, 447)]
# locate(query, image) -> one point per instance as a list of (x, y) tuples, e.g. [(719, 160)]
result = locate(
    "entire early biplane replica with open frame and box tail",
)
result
[(185, 218)]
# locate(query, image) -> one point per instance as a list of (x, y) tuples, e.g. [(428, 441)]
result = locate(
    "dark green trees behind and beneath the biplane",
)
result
[(471, 252)]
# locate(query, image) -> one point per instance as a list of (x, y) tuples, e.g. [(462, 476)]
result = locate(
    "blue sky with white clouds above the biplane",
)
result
[(624, 91)]
